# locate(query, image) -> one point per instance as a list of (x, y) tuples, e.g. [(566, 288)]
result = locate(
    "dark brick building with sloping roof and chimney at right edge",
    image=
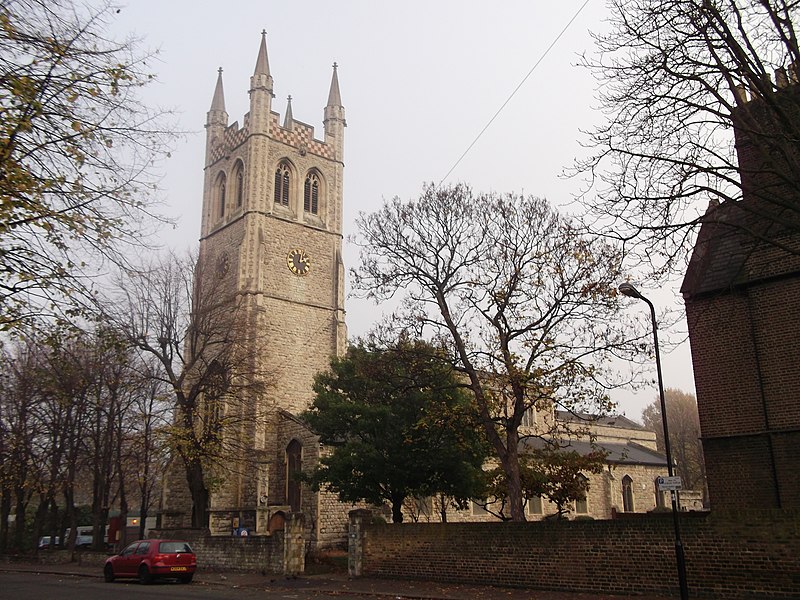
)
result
[(742, 295)]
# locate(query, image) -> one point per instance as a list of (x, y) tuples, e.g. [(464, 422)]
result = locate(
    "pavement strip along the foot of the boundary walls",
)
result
[(339, 584)]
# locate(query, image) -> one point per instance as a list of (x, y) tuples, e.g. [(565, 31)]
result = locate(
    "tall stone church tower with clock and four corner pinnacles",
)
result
[(272, 230)]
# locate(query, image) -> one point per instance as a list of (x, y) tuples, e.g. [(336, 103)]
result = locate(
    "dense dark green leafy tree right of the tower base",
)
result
[(399, 425)]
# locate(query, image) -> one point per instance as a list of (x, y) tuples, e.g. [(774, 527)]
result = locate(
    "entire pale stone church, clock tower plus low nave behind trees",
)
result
[(271, 232)]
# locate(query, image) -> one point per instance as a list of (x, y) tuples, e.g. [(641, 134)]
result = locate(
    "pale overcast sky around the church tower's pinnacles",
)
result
[(419, 81)]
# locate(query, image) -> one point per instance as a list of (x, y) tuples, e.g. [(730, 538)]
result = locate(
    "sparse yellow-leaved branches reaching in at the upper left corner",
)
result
[(77, 152)]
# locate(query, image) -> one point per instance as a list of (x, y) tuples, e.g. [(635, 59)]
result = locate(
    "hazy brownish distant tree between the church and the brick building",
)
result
[(684, 433)]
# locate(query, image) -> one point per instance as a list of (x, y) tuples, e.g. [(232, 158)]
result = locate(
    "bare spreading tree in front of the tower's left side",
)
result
[(192, 322)]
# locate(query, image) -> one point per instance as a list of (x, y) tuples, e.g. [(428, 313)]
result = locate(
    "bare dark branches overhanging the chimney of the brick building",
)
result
[(677, 78)]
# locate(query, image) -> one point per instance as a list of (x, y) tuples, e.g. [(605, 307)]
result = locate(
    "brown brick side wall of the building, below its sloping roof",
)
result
[(745, 356)]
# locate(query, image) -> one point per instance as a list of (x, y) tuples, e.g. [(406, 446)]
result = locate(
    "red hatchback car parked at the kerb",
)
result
[(149, 559)]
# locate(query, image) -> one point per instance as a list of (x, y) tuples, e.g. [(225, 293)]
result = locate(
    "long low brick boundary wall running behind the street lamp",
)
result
[(728, 554)]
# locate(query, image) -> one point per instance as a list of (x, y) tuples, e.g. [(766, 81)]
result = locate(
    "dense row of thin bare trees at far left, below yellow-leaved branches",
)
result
[(69, 408)]
